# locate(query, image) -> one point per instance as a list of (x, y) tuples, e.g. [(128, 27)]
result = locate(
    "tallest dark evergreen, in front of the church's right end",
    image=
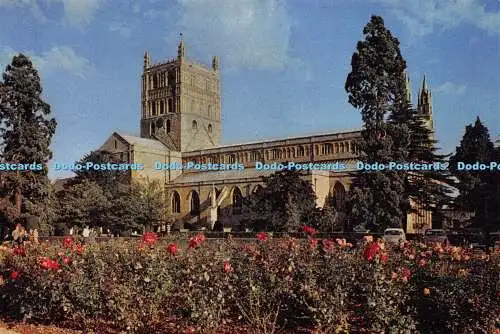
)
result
[(375, 85)]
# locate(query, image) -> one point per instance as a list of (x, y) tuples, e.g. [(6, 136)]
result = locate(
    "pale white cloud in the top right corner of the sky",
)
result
[(423, 16)]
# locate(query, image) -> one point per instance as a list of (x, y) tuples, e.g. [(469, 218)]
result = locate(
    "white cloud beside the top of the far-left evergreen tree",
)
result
[(59, 58)]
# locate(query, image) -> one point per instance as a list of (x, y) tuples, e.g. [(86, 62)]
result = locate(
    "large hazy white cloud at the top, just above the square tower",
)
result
[(245, 33)]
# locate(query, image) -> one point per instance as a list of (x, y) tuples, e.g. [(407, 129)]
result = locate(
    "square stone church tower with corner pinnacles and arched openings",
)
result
[(180, 102)]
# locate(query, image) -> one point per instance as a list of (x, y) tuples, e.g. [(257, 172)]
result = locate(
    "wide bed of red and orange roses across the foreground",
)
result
[(260, 286)]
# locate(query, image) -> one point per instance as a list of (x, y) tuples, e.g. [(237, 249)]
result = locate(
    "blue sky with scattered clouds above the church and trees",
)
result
[(284, 63)]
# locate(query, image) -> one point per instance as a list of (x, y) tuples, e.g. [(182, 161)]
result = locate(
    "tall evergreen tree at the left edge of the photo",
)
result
[(26, 130)]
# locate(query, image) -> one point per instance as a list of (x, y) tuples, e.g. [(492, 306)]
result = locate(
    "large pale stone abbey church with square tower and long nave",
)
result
[(181, 123)]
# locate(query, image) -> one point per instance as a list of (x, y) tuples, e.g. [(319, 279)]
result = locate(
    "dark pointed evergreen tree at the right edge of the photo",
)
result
[(478, 188)]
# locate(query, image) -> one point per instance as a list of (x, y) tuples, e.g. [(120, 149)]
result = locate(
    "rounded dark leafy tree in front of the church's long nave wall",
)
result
[(285, 202)]
